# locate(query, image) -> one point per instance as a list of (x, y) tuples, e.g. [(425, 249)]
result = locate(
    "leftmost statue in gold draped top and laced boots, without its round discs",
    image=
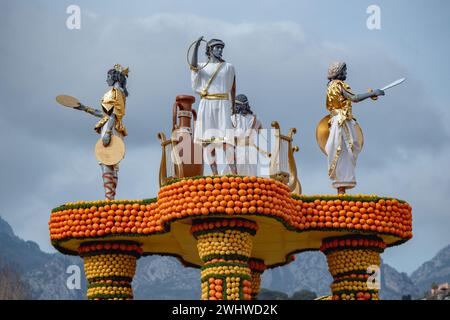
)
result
[(113, 110)]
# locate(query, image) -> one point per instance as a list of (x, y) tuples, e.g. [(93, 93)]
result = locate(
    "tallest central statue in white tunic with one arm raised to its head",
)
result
[(215, 82)]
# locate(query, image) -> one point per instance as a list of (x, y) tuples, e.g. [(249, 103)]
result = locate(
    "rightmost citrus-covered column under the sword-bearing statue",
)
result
[(354, 262)]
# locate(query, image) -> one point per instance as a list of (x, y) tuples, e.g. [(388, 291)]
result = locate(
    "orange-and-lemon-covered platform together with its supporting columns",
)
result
[(233, 228)]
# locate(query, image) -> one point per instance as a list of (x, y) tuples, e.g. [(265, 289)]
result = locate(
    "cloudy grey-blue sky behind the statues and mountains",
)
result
[(280, 49)]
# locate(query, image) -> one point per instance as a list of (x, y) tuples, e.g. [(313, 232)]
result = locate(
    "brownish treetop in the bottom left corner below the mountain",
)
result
[(12, 286)]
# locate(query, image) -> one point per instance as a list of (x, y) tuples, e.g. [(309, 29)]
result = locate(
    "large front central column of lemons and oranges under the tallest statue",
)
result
[(225, 246)]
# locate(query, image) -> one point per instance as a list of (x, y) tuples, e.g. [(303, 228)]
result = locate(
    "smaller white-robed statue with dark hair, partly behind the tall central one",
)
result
[(246, 133)]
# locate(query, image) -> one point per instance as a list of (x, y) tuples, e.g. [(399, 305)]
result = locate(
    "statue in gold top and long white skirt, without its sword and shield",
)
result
[(343, 145)]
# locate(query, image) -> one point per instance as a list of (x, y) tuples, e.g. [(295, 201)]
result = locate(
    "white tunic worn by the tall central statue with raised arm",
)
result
[(213, 123)]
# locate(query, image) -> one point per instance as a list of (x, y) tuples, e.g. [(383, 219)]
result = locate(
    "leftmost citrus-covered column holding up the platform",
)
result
[(110, 268)]
